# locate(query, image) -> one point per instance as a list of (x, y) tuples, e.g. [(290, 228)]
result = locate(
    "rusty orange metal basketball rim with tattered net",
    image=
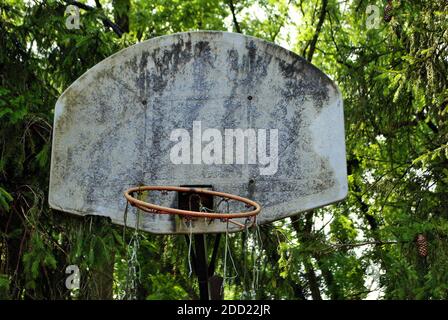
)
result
[(188, 214)]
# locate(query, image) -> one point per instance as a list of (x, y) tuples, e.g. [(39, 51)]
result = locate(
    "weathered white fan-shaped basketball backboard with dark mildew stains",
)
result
[(131, 119)]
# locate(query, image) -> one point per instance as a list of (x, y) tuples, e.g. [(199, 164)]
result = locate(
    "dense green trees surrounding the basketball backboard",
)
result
[(388, 239)]
